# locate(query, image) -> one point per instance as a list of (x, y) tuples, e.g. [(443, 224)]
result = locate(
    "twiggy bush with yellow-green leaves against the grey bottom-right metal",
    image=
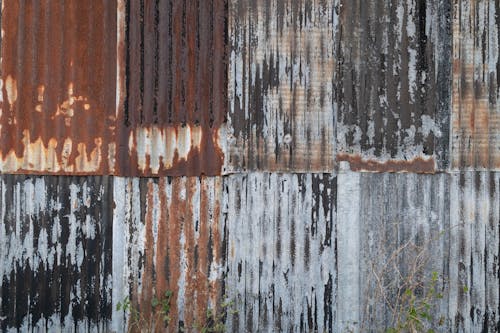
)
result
[(407, 289)]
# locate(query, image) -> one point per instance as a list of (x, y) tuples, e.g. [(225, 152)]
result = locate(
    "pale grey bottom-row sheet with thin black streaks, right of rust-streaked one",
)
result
[(281, 252)]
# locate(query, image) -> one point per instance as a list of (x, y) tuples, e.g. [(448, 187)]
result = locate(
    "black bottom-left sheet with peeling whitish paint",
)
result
[(55, 253)]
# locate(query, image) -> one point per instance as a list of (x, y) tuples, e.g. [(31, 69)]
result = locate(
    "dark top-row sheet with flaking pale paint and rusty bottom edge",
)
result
[(393, 85)]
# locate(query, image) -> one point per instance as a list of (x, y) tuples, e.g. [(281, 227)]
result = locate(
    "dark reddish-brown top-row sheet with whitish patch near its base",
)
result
[(172, 98)]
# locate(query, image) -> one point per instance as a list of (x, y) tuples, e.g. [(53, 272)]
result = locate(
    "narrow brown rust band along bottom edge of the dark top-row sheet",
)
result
[(415, 165)]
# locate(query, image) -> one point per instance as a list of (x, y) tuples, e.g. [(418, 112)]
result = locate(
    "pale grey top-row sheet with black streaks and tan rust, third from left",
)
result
[(281, 65)]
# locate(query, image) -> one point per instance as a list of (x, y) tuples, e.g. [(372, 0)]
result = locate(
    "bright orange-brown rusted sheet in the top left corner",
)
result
[(58, 87)]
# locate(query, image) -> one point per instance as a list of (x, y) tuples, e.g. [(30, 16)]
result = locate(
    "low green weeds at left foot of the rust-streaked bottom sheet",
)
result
[(138, 322)]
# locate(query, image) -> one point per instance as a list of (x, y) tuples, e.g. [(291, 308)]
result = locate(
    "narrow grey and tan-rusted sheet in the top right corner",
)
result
[(475, 116)]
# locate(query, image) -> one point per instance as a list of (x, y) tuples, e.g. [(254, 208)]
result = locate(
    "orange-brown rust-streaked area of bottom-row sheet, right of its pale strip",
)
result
[(184, 255)]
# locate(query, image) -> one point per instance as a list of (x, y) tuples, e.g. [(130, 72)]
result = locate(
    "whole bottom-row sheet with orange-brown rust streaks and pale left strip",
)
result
[(172, 241)]
